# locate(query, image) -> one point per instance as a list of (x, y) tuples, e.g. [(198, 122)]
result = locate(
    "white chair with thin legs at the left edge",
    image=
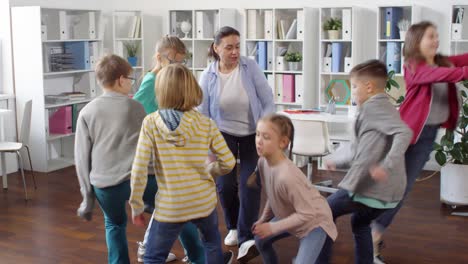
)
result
[(23, 141)]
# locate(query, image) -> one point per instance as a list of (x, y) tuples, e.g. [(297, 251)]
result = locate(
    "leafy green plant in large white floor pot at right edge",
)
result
[(452, 155)]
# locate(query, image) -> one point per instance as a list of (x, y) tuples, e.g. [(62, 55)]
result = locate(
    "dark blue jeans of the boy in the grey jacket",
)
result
[(341, 204)]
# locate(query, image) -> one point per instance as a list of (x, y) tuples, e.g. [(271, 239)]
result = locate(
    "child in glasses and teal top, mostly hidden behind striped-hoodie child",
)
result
[(168, 50)]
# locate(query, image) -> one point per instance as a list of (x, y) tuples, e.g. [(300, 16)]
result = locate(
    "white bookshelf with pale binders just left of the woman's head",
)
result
[(204, 24)]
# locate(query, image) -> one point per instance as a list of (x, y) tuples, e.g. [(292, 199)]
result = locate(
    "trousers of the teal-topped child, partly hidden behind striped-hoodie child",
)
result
[(189, 237)]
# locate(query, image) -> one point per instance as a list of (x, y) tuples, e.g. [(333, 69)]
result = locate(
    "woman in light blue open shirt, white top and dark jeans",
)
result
[(236, 95)]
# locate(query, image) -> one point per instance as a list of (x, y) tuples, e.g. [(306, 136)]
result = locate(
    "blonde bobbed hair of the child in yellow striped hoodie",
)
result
[(176, 88)]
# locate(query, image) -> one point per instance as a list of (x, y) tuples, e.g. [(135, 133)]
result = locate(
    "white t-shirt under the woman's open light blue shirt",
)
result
[(234, 105)]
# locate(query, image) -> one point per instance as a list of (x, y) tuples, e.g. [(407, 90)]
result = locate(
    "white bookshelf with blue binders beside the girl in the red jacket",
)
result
[(390, 36)]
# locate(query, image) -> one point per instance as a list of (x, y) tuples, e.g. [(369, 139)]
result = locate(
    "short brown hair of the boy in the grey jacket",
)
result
[(374, 69)]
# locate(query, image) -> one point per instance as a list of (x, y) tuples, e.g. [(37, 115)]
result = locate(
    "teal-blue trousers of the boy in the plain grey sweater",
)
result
[(112, 201)]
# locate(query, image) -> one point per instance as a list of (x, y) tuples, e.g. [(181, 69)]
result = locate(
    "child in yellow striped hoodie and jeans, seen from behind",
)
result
[(180, 138)]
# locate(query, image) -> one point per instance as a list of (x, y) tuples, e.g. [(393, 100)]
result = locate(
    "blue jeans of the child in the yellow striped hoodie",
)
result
[(162, 236)]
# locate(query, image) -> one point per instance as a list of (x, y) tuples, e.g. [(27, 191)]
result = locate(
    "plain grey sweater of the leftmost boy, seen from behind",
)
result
[(107, 132)]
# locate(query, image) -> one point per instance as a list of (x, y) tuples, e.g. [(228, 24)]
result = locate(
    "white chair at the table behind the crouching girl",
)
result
[(311, 140)]
